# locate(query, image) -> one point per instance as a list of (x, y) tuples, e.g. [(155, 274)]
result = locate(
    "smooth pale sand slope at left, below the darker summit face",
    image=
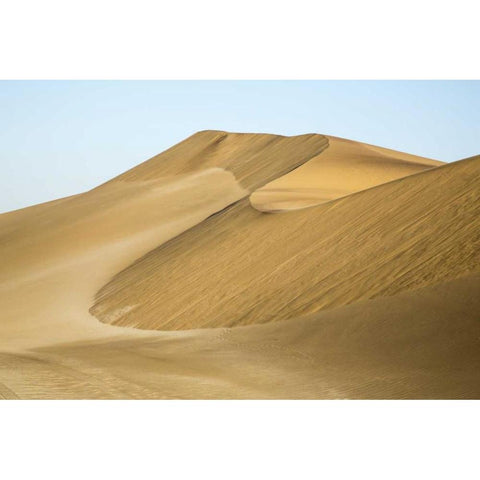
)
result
[(56, 257)]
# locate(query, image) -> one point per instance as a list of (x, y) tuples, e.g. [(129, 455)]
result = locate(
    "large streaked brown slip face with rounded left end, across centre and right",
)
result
[(243, 267)]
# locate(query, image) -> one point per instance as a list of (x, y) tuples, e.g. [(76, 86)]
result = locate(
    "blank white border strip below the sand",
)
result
[(240, 439)]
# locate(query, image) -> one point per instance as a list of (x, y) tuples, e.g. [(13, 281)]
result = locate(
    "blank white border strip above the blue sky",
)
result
[(259, 39)]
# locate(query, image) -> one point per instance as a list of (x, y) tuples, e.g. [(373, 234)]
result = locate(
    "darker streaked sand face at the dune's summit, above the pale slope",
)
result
[(254, 159)]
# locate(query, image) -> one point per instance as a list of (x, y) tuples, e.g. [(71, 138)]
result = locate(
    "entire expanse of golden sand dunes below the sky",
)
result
[(249, 266)]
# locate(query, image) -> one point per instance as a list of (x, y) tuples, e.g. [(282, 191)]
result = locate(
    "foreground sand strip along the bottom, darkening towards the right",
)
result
[(418, 344)]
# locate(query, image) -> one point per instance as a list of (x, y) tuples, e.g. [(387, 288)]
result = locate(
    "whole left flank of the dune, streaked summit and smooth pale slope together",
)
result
[(56, 256)]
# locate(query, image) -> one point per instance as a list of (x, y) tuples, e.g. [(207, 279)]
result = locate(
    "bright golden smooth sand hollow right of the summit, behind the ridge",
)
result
[(343, 168)]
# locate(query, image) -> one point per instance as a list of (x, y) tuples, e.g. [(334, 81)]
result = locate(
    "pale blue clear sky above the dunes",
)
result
[(58, 138)]
